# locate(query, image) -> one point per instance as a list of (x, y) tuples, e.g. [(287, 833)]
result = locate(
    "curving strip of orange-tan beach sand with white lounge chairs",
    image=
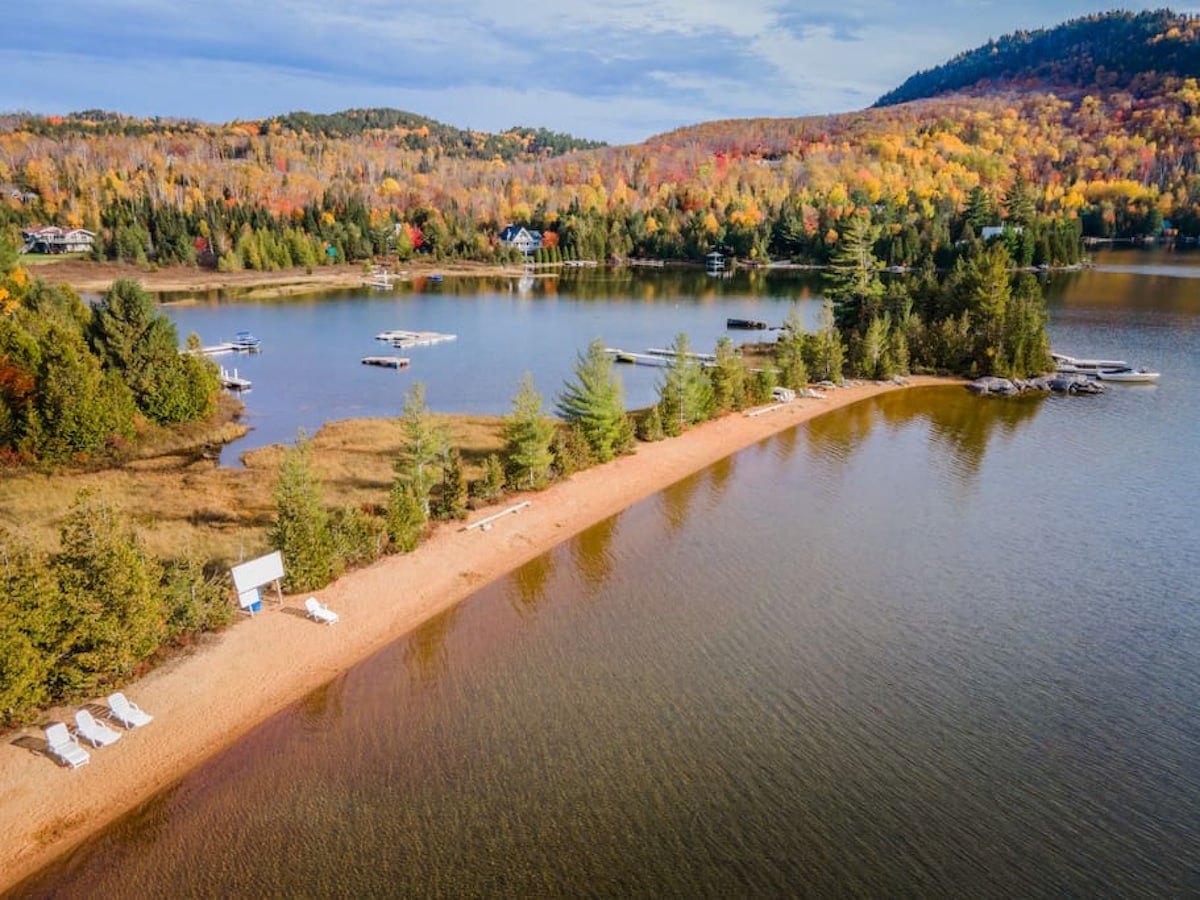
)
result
[(205, 701)]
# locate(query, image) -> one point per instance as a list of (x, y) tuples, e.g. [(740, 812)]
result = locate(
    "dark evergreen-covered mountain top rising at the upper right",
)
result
[(1107, 51)]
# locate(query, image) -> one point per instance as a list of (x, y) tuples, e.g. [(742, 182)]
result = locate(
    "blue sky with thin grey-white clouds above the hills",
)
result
[(619, 71)]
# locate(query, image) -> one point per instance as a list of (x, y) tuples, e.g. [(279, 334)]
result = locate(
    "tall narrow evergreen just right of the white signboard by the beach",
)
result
[(301, 531)]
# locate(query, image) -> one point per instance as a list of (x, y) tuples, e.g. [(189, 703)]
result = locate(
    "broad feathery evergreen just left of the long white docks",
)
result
[(595, 404)]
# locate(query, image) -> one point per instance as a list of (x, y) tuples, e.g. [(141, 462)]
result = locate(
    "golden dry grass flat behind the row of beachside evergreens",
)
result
[(179, 501)]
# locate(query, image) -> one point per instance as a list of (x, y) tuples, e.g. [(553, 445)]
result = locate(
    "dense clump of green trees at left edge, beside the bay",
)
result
[(76, 382)]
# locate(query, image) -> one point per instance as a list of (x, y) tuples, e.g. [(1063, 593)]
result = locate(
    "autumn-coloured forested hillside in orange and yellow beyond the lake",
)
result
[(1108, 158)]
